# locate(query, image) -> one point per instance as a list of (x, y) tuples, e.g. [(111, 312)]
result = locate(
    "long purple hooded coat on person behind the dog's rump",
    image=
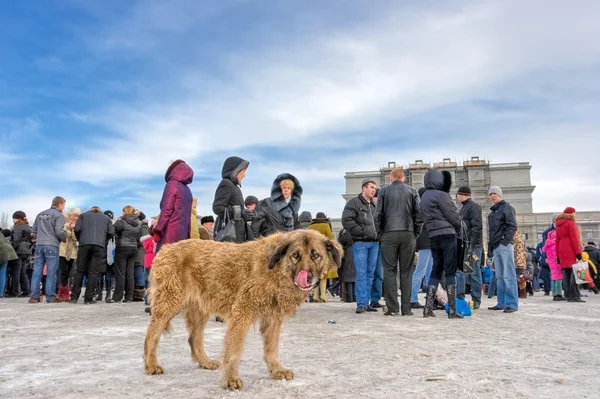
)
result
[(176, 205)]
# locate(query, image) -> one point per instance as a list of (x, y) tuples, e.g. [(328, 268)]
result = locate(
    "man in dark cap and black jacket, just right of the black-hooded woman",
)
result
[(470, 213)]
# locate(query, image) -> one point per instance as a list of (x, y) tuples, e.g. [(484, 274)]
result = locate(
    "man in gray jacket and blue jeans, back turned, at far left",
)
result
[(49, 231)]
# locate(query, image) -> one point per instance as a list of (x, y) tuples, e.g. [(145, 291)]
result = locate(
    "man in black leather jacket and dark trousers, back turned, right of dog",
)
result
[(399, 220)]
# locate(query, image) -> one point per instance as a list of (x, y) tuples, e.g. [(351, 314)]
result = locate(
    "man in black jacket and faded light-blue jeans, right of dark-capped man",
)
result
[(502, 226)]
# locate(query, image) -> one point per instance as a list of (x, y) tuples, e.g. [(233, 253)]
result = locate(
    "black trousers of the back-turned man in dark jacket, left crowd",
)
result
[(90, 259)]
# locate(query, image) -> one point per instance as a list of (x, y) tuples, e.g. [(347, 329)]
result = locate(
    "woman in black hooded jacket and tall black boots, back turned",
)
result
[(441, 218)]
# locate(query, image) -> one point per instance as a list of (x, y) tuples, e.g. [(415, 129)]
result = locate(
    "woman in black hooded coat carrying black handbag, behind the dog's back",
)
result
[(228, 195)]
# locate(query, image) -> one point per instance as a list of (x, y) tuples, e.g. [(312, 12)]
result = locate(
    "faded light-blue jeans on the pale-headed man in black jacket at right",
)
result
[(506, 277)]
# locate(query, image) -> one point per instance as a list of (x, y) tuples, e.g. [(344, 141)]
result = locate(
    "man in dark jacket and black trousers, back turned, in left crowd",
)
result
[(93, 229)]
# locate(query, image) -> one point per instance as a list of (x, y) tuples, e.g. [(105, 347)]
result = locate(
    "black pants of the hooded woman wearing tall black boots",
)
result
[(443, 250)]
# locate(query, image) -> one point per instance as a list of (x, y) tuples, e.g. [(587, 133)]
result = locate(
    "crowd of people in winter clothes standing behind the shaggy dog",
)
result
[(397, 242)]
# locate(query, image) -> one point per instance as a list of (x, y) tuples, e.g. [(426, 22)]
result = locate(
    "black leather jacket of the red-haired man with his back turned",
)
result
[(398, 209)]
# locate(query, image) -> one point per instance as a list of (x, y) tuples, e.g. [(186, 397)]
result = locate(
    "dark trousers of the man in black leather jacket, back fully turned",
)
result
[(397, 250)]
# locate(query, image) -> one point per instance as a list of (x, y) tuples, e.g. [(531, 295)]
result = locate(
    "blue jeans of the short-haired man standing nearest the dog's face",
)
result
[(365, 262)]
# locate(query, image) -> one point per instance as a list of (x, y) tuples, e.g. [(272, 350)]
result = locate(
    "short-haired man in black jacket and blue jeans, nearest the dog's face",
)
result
[(358, 218)]
